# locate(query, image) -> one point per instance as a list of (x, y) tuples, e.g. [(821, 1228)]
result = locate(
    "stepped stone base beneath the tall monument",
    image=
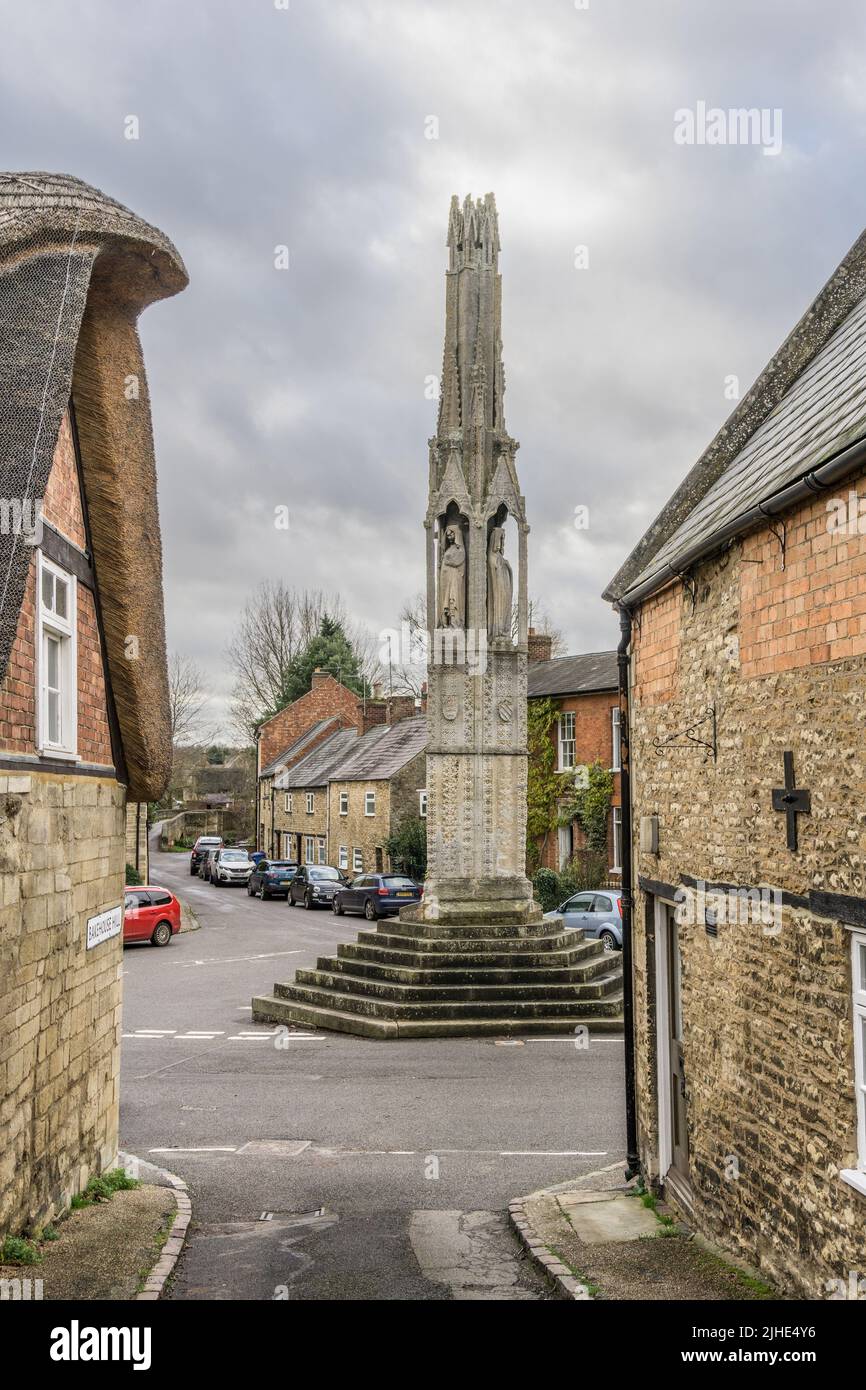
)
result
[(414, 978)]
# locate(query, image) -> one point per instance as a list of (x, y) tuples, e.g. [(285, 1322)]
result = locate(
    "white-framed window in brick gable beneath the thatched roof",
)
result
[(58, 661)]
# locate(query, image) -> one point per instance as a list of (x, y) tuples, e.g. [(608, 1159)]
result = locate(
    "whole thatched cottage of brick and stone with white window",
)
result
[(84, 692)]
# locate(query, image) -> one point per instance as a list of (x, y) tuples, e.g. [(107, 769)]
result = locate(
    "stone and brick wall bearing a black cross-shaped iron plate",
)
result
[(768, 1028)]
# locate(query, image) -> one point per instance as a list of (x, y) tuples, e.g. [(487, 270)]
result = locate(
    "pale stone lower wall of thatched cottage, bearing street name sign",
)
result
[(62, 861)]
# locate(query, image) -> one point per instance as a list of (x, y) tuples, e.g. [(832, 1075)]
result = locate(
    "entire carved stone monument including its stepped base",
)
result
[(476, 957)]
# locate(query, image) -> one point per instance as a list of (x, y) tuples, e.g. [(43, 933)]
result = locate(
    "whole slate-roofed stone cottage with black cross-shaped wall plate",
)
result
[(744, 610)]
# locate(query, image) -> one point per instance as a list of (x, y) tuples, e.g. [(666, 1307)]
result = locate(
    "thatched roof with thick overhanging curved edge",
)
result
[(76, 272)]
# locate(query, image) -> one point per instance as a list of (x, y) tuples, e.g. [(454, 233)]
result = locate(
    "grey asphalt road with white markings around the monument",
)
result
[(330, 1167)]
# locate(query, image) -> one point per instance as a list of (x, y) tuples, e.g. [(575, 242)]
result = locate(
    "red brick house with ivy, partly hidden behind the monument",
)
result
[(585, 690)]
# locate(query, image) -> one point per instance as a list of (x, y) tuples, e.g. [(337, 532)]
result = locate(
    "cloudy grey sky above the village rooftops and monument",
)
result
[(263, 124)]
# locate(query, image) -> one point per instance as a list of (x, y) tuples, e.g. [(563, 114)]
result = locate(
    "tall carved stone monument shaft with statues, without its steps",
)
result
[(477, 641)]
